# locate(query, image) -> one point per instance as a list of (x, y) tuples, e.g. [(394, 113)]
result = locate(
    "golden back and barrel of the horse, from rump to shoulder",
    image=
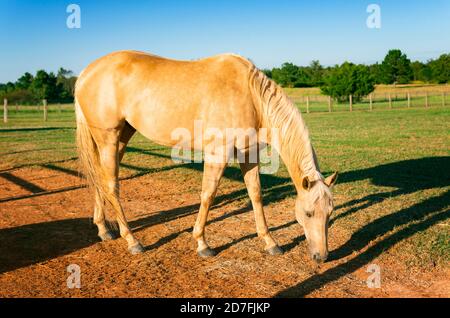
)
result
[(156, 95)]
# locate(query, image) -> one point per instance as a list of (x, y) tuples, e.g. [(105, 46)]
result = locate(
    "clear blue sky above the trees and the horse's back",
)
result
[(34, 35)]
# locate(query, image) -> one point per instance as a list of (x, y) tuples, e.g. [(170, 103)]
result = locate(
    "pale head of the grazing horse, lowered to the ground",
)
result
[(313, 208)]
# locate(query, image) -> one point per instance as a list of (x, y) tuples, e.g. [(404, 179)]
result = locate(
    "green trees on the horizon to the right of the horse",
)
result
[(346, 79)]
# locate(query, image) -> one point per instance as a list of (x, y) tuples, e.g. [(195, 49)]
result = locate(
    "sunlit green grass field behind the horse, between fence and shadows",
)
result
[(372, 137)]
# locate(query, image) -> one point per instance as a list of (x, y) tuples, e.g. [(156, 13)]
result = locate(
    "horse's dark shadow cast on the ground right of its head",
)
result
[(406, 177)]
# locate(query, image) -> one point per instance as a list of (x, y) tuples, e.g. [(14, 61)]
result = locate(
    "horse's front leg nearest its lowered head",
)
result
[(252, 181)]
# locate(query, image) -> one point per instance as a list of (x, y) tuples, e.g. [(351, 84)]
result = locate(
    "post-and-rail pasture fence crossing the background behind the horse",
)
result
[(312, 103)]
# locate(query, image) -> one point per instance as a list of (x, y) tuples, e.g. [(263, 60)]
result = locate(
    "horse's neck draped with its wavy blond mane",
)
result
[(278, 111)]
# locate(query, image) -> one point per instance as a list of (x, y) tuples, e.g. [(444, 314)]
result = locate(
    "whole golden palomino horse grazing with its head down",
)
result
[(128, 91)]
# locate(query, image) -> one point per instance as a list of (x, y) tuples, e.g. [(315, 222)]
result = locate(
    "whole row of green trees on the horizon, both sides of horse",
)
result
[(338, 81)]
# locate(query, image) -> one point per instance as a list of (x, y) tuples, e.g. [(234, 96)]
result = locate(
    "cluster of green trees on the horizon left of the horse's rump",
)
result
[(32, 89)]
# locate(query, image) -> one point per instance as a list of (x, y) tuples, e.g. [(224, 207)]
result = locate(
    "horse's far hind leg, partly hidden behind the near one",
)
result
[(99, 211)]
